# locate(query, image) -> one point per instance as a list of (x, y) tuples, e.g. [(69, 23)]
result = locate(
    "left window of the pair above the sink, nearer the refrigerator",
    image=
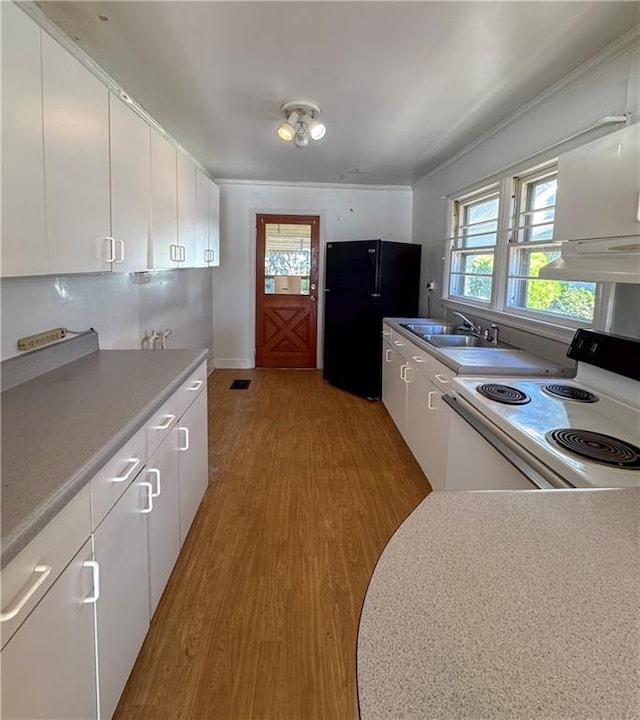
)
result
[(474, 245)]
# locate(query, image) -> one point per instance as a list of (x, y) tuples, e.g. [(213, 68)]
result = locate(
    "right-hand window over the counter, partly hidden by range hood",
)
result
[(531, 247)]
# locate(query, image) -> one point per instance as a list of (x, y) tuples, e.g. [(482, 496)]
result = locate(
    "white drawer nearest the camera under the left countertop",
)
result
[(31, 573)]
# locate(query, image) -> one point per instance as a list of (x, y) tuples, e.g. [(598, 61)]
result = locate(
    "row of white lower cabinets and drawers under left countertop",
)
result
[(71, 629)]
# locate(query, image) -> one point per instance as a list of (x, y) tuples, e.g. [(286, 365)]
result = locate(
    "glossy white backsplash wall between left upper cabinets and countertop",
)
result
[(120, 306)]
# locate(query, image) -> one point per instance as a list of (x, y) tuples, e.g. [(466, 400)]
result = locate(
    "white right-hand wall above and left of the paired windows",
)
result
[(609, 87)]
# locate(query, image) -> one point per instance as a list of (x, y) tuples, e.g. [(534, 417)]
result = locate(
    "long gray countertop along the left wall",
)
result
[(61, 427)]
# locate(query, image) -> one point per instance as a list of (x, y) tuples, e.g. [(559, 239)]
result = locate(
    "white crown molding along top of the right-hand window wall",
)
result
[(603, 58)]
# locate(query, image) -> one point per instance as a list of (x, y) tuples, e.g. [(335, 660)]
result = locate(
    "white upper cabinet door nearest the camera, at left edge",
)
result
[(24, 248)]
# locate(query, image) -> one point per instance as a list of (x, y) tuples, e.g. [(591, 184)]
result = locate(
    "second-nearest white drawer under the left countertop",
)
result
[(116, 476)]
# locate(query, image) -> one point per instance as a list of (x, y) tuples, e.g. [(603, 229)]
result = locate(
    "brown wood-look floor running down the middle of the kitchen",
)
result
[(259, 619)]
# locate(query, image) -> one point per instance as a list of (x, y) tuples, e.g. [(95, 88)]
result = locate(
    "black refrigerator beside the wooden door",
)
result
[(365, 280)]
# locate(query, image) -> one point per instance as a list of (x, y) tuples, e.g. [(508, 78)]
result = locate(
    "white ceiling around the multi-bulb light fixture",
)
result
[(402, 85)]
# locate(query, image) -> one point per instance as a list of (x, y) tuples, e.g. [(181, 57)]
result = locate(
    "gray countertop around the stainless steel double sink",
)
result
[(482, 361)]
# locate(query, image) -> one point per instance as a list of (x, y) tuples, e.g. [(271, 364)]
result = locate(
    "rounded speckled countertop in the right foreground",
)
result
[(506, 604)]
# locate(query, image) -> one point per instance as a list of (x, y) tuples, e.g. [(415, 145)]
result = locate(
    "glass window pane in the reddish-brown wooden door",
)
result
[(287, 259)]
